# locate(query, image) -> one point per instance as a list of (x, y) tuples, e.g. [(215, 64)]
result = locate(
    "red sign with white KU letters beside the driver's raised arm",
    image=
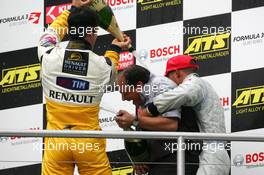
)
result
[(54, 11)]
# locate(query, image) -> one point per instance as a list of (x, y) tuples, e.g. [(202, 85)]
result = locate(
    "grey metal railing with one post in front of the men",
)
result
[(180, 136)]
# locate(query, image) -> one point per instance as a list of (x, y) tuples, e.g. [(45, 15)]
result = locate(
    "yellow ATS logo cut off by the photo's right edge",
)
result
[(249, 100)]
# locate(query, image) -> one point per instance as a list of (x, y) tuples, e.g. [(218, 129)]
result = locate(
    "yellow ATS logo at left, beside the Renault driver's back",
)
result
[(20, 78)]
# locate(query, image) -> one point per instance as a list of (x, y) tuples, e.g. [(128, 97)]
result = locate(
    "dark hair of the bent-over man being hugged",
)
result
[(134, 73)]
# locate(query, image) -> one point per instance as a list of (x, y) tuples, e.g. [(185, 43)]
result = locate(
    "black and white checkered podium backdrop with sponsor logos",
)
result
[(226, 36)]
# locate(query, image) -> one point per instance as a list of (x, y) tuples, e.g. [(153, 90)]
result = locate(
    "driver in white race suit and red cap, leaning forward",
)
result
[(197, 93)]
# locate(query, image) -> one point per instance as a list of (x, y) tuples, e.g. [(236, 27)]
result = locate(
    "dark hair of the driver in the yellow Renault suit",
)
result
[(82, 18)]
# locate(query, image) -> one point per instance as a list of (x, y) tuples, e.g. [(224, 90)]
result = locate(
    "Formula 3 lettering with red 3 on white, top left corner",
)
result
[(32, 18)]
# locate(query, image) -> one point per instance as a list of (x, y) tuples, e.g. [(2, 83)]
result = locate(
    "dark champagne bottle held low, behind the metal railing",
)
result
[(137, 149)]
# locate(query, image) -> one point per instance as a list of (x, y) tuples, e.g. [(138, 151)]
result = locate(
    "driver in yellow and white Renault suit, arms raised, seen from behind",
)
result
[(72, 80)]
